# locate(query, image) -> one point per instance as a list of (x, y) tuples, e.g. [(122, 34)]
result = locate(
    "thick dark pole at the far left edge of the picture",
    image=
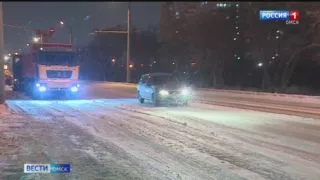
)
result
[(2, 98)]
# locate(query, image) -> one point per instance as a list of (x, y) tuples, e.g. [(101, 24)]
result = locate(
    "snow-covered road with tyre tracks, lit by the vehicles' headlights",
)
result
[(108, 135)]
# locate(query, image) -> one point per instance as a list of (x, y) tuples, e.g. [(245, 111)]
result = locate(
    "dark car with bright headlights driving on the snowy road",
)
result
[(162, 88)]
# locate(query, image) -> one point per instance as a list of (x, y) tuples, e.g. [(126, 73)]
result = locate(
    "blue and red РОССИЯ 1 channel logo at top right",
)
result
[(290, 17)]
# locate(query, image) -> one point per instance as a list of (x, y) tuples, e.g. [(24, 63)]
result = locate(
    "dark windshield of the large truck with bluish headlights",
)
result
[(57, 58)]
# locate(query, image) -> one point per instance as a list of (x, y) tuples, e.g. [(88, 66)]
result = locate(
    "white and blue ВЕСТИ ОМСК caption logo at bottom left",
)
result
[(47, 168)]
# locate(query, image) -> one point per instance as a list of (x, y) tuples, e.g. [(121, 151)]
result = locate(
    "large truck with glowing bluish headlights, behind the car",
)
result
[(47, 69)]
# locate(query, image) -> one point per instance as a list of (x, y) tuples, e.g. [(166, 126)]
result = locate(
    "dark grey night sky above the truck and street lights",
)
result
[(83, 17)]
